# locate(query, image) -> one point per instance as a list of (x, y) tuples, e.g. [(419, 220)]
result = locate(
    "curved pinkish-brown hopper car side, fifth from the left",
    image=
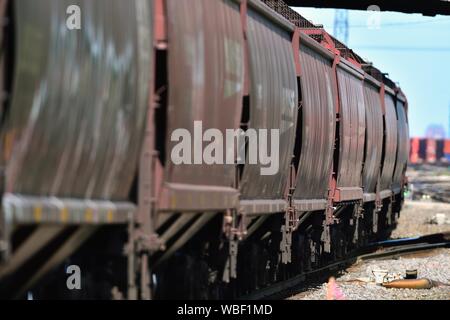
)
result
[(352, 129)]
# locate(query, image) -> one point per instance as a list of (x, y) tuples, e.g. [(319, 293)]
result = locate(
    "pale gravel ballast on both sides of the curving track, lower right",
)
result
[(433, 265)]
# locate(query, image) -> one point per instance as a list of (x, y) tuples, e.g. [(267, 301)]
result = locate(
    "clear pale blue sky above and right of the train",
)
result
[(413, 49)]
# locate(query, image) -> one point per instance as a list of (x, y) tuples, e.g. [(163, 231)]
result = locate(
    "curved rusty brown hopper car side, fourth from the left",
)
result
[(318, 125)]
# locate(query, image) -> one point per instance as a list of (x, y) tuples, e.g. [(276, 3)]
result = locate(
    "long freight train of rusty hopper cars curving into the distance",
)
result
[(88, 181)]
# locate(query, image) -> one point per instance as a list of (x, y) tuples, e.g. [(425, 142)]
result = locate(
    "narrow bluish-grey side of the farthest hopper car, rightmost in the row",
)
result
[(402, 145)]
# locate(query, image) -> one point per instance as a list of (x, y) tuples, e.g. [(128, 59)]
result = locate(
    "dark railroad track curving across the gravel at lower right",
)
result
[(377, 250)]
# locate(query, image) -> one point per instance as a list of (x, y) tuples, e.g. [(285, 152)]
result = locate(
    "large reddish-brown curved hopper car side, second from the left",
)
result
[(206, 75)]
